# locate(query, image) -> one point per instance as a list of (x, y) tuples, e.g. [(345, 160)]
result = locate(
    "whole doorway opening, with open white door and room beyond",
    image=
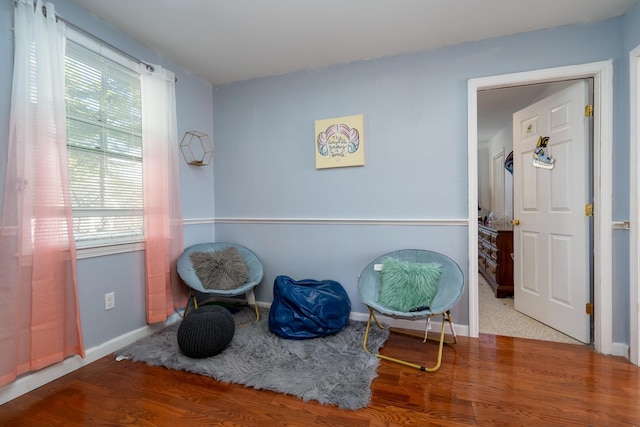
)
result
[(540, 306)]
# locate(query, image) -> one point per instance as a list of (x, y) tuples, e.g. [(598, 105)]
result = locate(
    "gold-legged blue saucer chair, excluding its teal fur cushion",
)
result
[(450, 287)]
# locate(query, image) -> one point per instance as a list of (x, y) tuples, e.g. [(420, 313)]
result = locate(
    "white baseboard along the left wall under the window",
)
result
[(37, 379)]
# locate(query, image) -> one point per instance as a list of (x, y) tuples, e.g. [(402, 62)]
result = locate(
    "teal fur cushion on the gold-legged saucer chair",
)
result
[(408, 286)]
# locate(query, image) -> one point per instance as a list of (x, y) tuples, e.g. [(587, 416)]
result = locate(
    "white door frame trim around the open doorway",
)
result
[(602, 74)]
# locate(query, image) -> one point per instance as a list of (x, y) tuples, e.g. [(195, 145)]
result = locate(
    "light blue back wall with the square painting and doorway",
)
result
[(415, 110)]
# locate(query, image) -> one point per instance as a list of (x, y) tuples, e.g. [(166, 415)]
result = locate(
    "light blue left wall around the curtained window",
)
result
[(124, 273)]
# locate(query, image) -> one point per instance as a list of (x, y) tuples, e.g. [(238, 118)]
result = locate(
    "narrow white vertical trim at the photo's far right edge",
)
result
[(634, 214)]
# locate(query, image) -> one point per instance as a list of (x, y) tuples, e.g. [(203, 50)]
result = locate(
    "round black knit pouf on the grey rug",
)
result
[(206, 331)]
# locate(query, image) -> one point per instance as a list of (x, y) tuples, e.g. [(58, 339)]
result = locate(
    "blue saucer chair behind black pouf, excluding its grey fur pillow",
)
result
[(189, 274)]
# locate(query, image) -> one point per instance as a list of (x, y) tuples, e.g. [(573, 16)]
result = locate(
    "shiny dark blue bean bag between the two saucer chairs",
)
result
[(308, 308)]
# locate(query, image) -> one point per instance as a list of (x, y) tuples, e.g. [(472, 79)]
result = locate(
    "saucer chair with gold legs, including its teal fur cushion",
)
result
[(412, 284)]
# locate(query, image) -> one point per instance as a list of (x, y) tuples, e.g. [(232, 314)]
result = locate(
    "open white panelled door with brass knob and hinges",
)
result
[(552, 241)]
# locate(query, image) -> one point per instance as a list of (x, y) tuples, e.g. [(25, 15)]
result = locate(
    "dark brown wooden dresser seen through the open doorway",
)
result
[(495, 245)]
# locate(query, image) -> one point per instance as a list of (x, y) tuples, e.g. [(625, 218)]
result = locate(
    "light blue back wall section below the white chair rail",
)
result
[(338, 252)]
